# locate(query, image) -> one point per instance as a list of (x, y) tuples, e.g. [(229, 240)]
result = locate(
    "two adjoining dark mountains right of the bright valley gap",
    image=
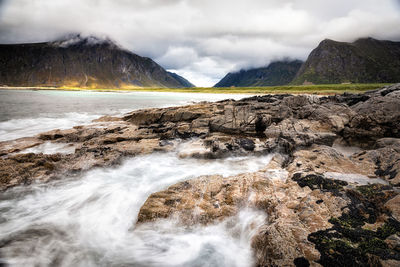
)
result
[(366, 60)]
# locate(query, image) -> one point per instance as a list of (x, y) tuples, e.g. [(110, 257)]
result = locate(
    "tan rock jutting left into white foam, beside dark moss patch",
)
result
[(292, 211)]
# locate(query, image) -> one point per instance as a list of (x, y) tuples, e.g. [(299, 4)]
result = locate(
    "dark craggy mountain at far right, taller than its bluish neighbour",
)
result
[(366, 60)]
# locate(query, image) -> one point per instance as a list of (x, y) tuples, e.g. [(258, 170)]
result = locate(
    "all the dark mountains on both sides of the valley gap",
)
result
[(92, 62)]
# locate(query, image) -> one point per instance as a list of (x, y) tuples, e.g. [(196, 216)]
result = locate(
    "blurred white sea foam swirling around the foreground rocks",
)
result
[(89, 221)]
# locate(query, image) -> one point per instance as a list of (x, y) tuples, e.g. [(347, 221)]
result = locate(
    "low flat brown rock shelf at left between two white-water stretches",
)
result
[(104, 145)]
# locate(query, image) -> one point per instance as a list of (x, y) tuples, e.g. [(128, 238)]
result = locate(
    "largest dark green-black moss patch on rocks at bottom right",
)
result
[(347, 243)]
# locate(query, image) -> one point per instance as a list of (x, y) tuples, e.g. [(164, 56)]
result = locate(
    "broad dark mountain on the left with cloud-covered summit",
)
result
[(81, 62)]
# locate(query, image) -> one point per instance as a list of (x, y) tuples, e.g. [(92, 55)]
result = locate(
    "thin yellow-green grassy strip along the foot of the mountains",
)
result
[(325, 89)]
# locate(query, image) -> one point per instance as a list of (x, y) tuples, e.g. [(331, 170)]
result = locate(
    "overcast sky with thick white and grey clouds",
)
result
[(203, 40)]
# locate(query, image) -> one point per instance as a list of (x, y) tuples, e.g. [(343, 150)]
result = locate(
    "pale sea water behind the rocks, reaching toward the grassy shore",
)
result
[(27, 112)]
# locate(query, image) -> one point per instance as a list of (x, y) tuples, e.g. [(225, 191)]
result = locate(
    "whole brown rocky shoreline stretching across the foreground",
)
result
[(317, 190)]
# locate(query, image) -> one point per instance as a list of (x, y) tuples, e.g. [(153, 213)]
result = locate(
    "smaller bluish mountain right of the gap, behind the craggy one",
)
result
[(276, 73)]
